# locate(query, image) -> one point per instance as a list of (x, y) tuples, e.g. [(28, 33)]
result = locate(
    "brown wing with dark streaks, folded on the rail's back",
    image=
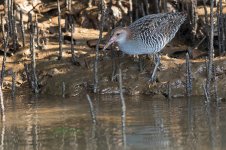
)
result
[(165, 23)]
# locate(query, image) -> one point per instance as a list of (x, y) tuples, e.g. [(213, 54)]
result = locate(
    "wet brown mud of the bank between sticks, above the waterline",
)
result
[(79, 78)]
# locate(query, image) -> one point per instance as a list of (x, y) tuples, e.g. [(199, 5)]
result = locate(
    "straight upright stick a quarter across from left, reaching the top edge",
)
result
[(60, 32)]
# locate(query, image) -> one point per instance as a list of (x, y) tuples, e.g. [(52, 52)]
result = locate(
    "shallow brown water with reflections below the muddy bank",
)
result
[(51, 123)]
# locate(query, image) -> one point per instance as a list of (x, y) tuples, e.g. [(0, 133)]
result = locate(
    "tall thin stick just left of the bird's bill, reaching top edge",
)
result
[(95, 88)]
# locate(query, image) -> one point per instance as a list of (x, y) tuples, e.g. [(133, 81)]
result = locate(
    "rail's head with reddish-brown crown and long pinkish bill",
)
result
[(119, 35)]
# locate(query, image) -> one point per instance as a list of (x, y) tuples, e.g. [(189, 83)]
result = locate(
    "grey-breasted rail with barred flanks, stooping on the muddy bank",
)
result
[(148, 35)]
